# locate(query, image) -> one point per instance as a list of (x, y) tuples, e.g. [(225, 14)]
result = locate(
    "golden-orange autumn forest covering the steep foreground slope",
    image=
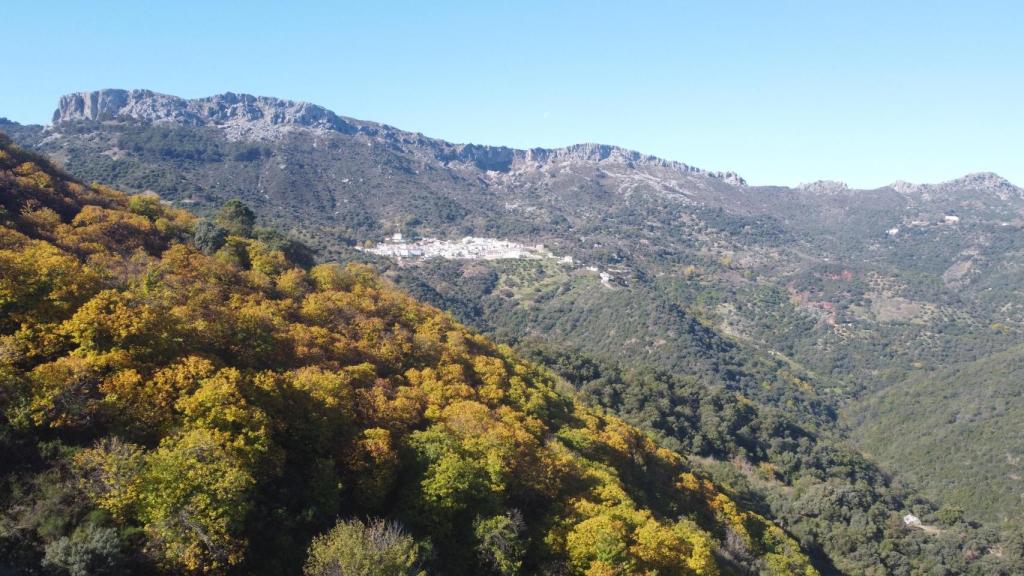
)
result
[(184, 396)]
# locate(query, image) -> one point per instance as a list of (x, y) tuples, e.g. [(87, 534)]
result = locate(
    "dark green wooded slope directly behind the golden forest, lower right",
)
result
[(841, 507)]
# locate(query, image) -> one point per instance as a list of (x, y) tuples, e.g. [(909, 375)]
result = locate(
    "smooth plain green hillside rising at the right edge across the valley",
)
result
[(965, 439)]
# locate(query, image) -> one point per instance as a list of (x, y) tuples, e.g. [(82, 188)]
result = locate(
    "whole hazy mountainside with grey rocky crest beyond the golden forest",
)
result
[(848, 314)]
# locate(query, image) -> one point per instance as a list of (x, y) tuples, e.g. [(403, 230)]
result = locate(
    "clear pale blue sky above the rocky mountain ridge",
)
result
[(782, 93)]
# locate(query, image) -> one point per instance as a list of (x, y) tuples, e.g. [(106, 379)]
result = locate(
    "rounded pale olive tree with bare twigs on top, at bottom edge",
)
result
[(355, 549)]
